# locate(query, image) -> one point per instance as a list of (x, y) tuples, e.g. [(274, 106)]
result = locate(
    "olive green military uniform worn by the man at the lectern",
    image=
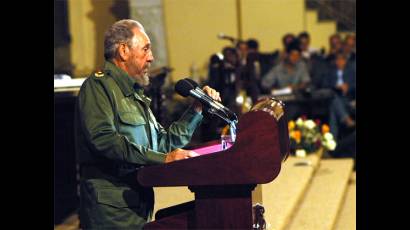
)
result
[(116, 133)]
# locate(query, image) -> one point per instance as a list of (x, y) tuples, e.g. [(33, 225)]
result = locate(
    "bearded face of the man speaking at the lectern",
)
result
[(139, 57)]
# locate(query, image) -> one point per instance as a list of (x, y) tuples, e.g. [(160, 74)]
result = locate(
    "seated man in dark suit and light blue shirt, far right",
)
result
[(341, 78)]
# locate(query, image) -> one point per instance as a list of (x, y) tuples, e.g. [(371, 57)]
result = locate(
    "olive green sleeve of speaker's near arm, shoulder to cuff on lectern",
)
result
[(97, 124)]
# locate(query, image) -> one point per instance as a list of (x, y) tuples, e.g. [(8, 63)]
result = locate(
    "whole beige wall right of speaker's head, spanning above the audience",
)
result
[(192, 26)]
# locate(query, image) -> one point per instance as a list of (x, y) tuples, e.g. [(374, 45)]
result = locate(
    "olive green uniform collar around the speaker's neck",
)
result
[(127, 85)]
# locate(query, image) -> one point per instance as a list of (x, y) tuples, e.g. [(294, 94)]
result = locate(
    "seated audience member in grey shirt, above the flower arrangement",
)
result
[(291, 73)]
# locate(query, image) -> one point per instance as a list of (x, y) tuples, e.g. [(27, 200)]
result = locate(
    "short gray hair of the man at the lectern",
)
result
[(119, 32)]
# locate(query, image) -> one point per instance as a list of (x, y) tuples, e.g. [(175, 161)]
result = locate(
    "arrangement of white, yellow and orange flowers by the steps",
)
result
[(308, 136)]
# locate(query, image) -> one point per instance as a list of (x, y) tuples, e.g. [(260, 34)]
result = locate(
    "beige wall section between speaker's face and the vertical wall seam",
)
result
[(191, 27)]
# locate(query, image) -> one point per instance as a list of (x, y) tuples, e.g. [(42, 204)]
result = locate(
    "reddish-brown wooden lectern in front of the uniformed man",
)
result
[(223, 180)]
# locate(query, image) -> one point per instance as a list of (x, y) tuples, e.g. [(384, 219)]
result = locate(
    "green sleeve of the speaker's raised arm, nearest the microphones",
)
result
[(180, 132)]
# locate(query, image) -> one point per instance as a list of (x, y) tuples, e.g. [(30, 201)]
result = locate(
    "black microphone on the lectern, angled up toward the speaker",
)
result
[(188, 87)]
